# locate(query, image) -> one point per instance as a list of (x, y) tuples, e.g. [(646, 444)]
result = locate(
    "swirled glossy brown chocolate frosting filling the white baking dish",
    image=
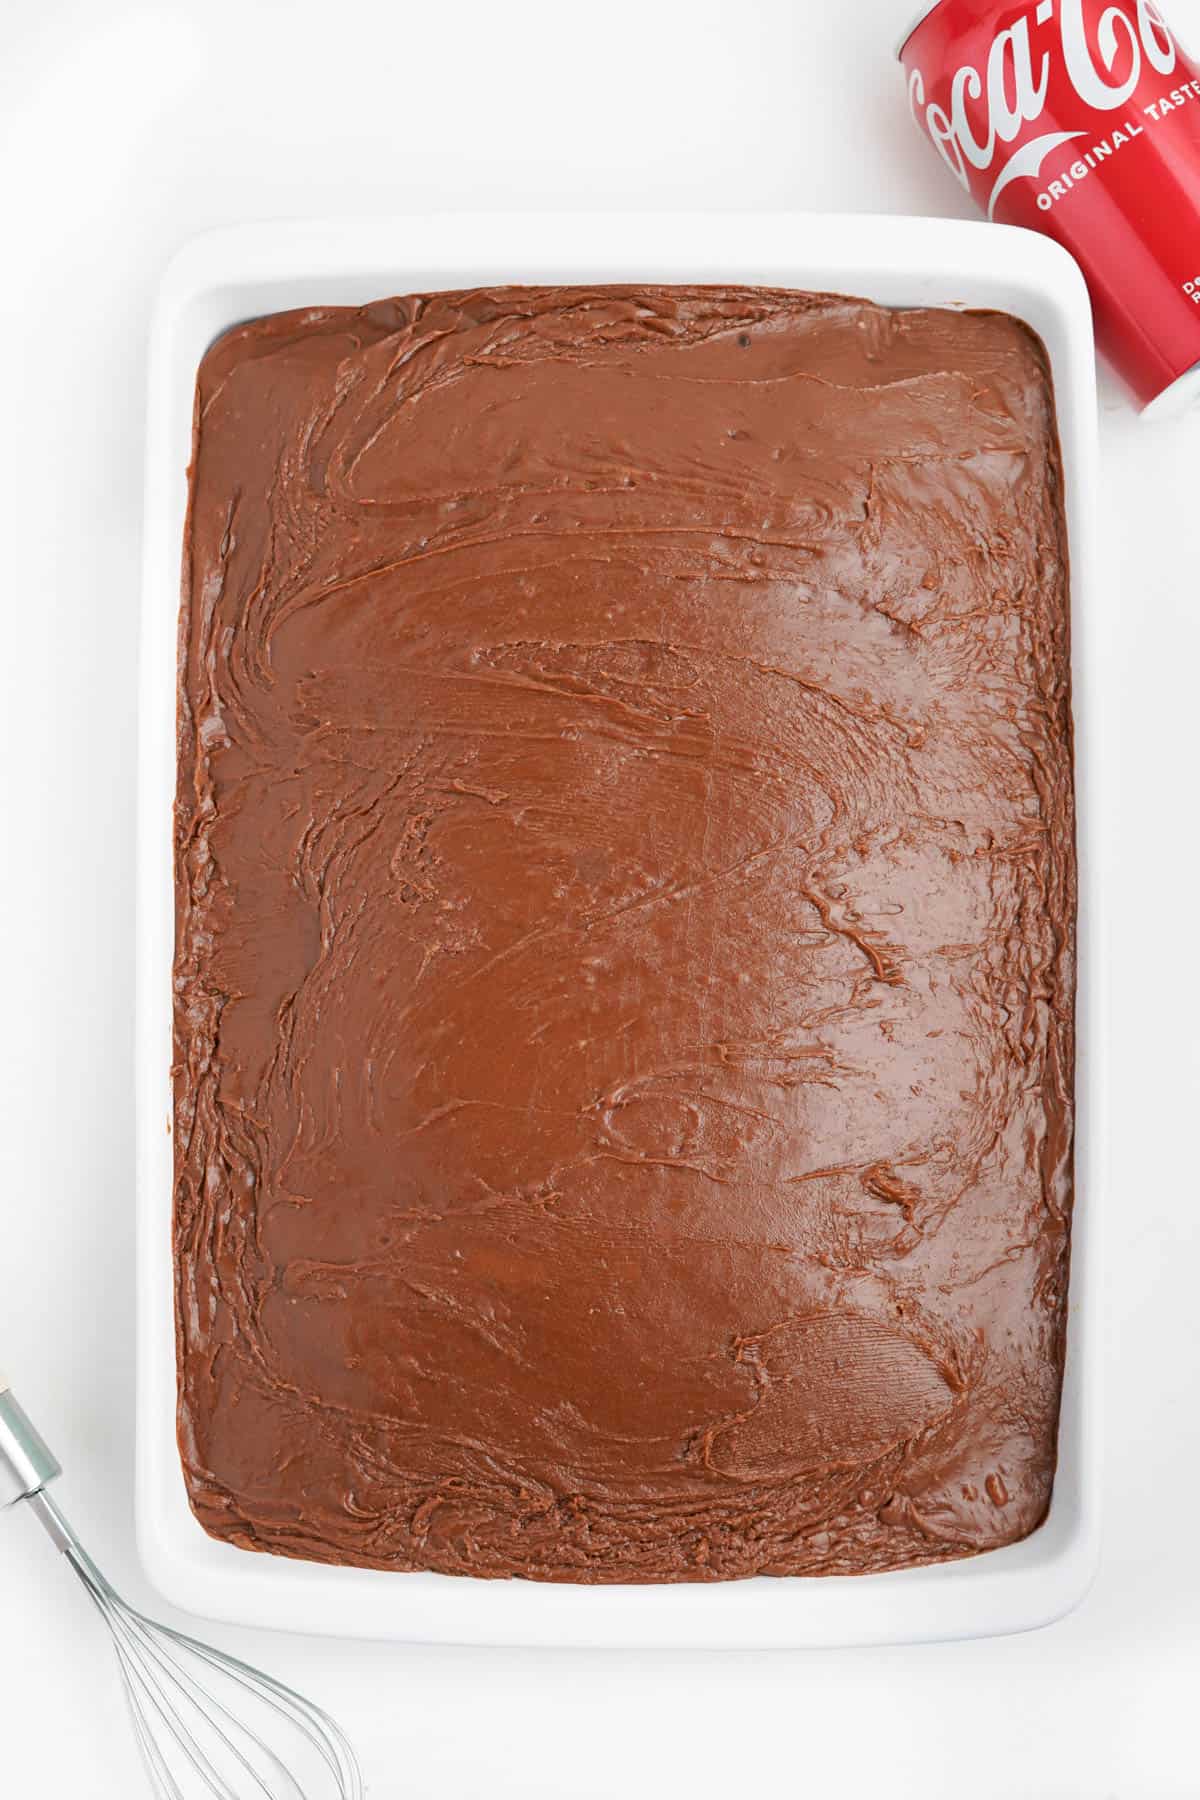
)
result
[(625, 937)]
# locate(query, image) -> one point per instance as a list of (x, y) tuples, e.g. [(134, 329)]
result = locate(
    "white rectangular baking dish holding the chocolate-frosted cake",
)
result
[(237, 274)]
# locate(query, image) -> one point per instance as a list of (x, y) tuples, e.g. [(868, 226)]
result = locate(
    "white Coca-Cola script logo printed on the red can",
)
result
[(990, 109)]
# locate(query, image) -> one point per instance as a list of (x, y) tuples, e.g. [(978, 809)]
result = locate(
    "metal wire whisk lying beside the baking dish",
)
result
[(204, 1722)]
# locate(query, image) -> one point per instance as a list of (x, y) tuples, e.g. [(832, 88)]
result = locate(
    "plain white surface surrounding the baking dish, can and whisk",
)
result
[(123, 130)]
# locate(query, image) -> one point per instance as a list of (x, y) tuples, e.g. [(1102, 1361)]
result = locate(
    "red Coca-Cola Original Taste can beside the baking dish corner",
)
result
[(1080, 120)]
